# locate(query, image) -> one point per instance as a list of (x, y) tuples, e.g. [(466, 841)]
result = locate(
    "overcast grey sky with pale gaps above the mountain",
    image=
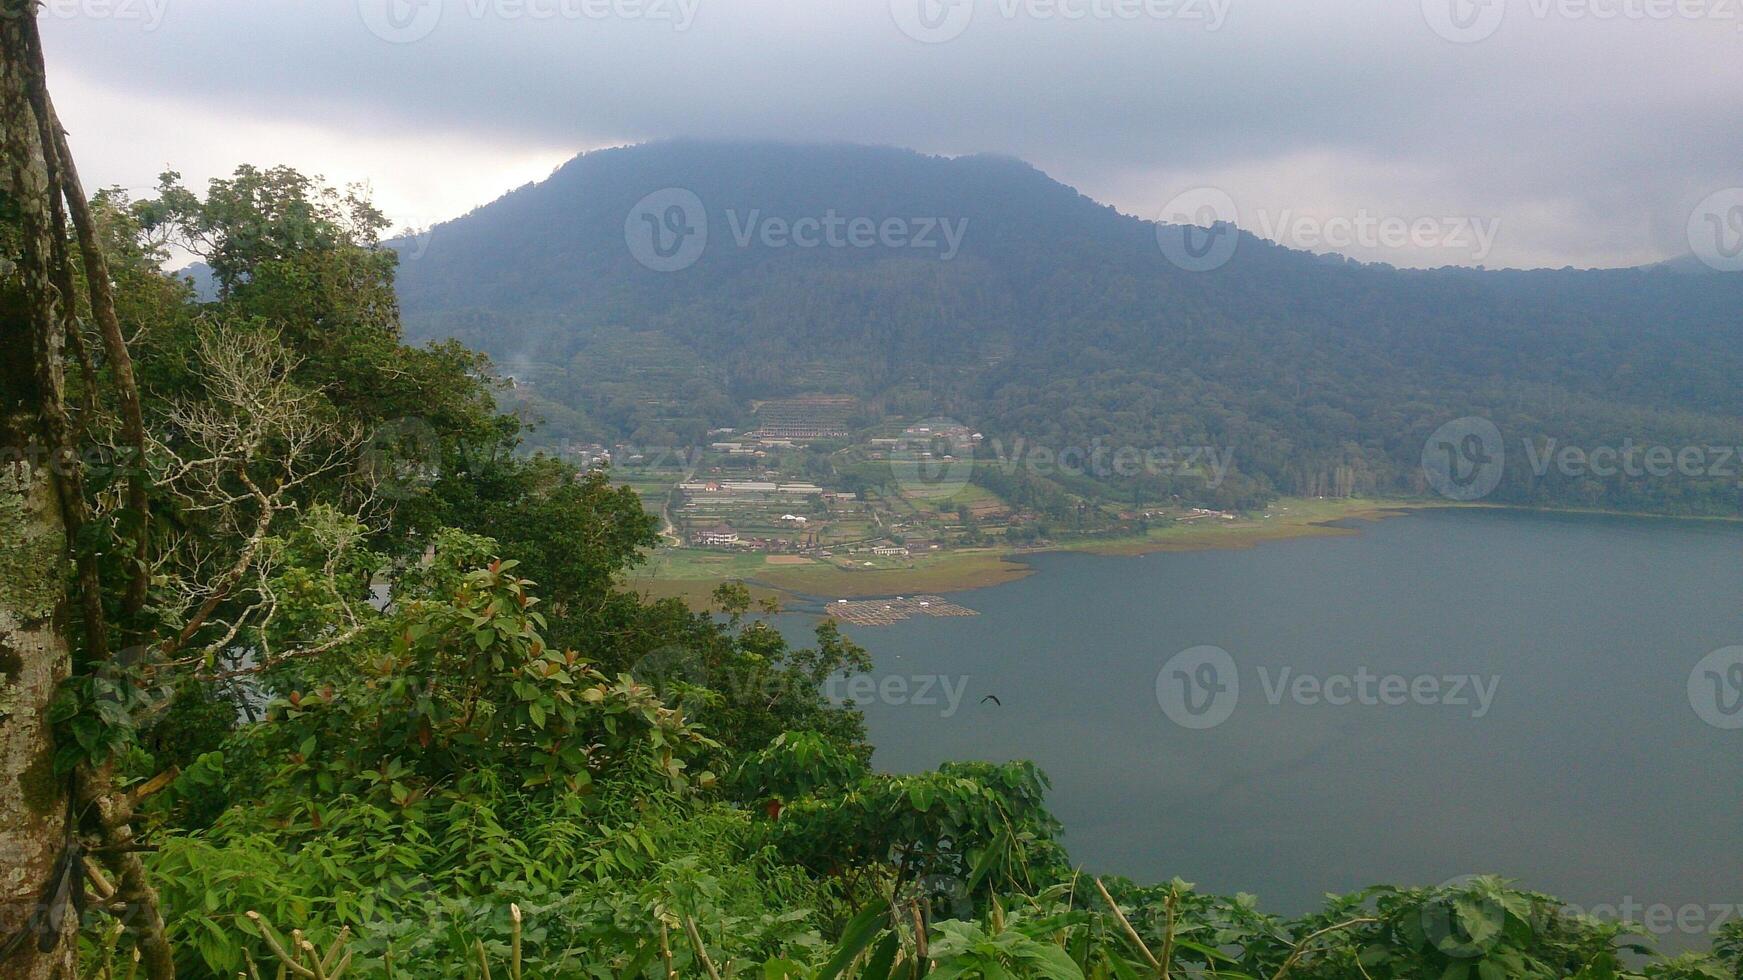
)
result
[(1566, 132)]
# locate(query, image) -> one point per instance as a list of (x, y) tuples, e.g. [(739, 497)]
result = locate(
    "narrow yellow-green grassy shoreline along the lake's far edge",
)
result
[(1291, 519)]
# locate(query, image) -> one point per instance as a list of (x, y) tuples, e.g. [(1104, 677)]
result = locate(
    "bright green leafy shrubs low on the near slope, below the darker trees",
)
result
[(477, 801)]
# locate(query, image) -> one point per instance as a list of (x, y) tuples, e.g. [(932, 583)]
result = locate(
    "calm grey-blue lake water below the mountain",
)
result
[(1589, 777)]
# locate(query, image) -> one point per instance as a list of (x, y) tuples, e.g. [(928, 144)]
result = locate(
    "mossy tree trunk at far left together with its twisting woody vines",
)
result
[(43, 508)]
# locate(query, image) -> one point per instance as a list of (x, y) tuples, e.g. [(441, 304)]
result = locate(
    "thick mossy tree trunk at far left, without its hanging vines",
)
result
[(34, 655)]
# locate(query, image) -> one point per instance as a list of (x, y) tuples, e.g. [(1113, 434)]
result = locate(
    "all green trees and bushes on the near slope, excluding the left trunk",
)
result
[(409, 726)]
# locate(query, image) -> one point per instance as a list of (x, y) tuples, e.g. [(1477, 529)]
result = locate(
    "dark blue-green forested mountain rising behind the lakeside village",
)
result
[(1062, 322)]
